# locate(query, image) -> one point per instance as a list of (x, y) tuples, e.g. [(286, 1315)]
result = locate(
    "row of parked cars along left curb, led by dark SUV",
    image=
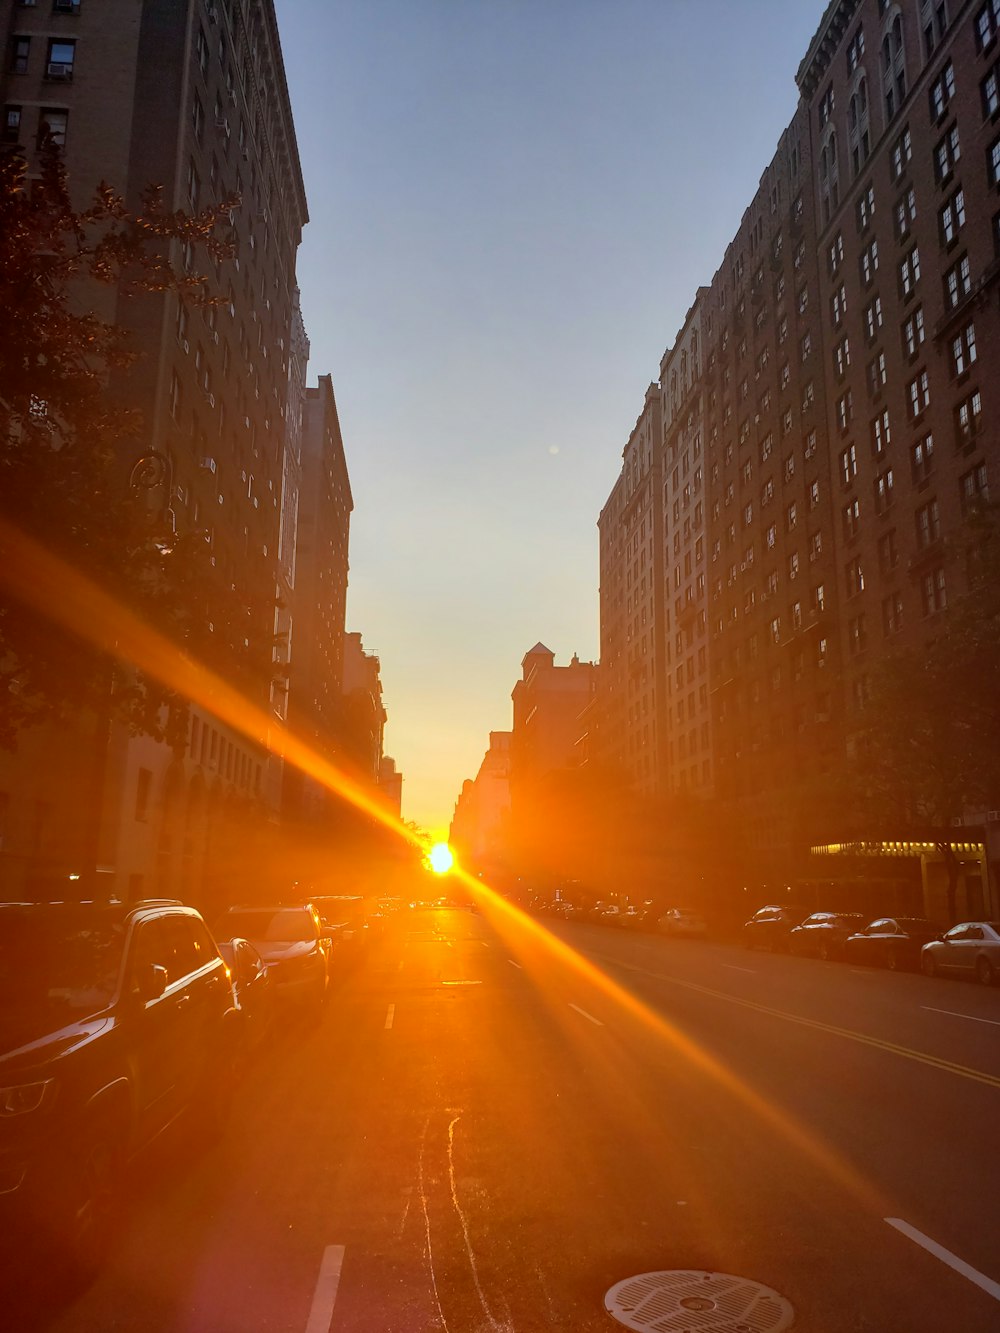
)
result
[(119, 1019)]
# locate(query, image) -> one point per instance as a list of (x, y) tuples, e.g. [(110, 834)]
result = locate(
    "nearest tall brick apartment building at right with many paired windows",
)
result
[(905, 113)]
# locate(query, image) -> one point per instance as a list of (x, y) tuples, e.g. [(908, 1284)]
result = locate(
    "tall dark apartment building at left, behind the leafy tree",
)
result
[(191, 97)]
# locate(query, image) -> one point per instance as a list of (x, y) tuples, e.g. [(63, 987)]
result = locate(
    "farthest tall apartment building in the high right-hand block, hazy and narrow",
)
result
[(631, 609)]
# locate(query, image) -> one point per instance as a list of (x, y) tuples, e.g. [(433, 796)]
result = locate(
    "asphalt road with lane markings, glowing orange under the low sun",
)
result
[(495, 1124)]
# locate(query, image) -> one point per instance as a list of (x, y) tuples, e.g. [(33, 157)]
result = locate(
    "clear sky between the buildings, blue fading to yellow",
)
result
[(513, 205)]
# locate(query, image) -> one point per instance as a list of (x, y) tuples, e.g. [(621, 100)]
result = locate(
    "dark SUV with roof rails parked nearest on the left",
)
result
[(114, 1020)]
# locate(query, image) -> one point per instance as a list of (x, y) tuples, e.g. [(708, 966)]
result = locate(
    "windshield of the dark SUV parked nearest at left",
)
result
[(58, 963)]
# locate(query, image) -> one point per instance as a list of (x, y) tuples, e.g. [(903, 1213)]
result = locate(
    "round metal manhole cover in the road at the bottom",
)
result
[(691, 1302)]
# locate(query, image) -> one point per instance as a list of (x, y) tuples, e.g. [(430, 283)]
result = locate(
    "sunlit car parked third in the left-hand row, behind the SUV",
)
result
[(293, 944)]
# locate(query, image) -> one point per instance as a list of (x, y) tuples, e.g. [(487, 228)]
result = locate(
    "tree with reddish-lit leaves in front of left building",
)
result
[(75, 471)]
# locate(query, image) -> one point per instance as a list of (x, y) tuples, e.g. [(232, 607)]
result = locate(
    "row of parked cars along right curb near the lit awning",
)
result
[(970, 948)]
